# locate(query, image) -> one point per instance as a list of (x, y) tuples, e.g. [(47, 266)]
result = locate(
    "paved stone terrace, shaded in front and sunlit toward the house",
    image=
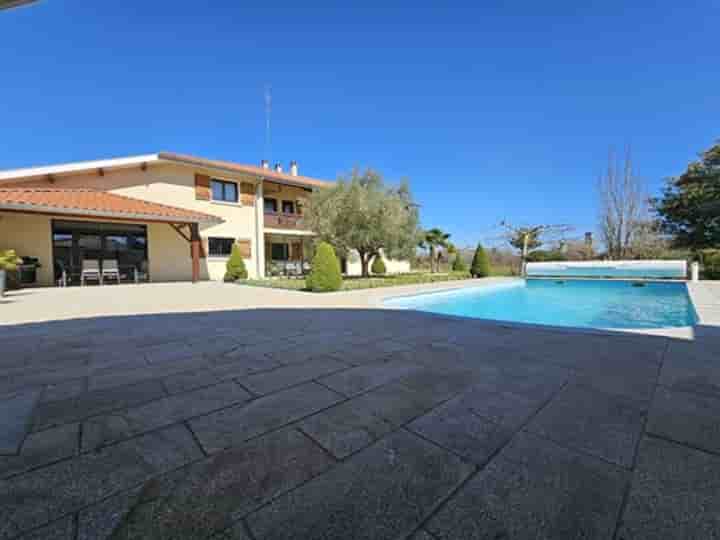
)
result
[(326, 418)]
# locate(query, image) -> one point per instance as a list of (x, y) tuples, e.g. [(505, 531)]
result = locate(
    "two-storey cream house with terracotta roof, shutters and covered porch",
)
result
[(163, 217)]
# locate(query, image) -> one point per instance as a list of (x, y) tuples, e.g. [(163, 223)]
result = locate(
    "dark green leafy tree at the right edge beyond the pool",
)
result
[(689, 208)]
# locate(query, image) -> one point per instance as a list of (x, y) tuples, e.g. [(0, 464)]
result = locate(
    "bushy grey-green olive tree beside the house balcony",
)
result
[(360, 213)]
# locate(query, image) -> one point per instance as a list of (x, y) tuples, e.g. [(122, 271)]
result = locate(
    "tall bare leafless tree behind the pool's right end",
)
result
[(623, 206)]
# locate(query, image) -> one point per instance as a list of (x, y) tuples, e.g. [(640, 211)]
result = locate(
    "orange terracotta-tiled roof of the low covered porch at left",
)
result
[(94, 203)]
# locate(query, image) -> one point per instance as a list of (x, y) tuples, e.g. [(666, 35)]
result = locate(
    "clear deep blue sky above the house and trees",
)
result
[(492, 109)]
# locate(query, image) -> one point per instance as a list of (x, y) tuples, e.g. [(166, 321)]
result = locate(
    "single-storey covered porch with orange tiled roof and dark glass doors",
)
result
[(76, 234)]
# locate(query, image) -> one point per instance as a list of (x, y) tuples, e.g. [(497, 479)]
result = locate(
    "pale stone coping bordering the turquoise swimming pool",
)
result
[(707, 314)]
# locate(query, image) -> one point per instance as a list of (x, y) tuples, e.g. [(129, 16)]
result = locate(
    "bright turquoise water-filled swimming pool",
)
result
[(579, 303)]
